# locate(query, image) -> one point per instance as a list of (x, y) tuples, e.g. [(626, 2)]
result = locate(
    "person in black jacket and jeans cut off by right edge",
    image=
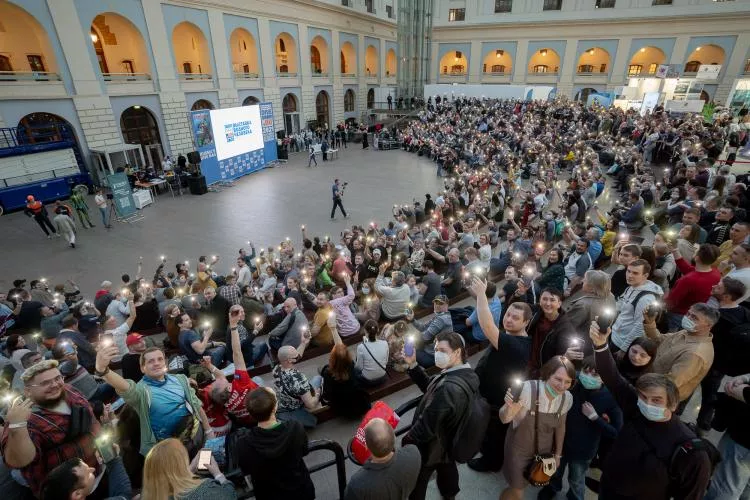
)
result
[(731, 478)]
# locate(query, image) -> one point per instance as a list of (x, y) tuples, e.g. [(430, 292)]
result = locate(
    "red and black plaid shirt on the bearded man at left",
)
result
[(47, 430)]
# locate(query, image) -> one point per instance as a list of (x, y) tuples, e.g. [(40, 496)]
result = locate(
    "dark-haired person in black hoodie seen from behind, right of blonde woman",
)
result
[(273, 452)]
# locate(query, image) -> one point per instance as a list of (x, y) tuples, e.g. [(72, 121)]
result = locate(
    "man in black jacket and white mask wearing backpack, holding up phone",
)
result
[(439, 413)]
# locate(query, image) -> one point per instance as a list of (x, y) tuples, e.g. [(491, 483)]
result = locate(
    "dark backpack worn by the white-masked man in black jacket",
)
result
[(472, 426)]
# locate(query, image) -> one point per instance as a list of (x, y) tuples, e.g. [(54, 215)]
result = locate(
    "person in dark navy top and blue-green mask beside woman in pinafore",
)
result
[(594, 415)]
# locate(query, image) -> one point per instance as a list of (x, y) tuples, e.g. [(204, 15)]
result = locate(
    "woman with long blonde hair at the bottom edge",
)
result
[(168, 474)]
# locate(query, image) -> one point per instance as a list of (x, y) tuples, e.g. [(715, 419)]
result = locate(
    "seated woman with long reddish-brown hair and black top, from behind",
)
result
[(341, 389)]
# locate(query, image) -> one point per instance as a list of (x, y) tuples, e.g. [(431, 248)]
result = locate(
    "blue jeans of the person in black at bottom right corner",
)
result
[(731, 479)]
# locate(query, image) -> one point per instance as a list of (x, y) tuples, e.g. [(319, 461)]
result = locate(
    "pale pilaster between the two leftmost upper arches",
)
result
[(74, 40)]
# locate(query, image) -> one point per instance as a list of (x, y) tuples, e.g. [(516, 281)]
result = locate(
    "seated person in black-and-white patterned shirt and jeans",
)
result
[(296, 394)]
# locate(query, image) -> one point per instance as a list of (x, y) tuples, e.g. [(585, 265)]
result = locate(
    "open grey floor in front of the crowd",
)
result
[(264, 207)]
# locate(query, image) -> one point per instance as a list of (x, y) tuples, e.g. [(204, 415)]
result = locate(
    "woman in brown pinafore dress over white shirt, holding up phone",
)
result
[(537, 416)]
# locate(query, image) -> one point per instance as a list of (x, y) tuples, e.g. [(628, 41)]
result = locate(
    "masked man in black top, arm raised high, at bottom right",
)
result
[(642, 464)]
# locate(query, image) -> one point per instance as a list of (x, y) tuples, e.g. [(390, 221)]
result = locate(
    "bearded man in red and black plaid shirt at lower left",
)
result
[(52, 424)]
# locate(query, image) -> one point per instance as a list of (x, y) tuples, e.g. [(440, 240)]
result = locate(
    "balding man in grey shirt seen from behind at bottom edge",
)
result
[(389, 474)]
